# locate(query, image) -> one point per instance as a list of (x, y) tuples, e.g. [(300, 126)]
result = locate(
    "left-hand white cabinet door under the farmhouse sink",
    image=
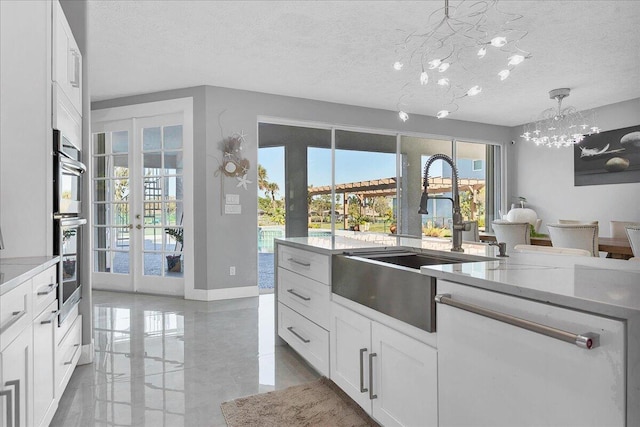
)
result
[(350, 348)]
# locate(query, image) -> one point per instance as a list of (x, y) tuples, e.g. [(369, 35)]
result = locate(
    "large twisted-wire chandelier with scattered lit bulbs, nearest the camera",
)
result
[(462, 48)]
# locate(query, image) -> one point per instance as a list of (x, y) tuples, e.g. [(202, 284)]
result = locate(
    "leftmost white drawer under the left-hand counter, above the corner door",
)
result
[(15, 312)]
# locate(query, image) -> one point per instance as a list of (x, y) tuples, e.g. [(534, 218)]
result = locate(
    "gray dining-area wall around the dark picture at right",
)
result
[(545, 177)]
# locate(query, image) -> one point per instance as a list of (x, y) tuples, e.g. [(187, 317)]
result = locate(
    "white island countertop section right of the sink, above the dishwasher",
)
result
[(598, 285)]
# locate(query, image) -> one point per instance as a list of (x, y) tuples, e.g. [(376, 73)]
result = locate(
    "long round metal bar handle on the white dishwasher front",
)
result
[(588, 340)]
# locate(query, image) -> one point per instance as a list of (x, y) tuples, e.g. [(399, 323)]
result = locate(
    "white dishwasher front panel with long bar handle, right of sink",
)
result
[(497, 374)]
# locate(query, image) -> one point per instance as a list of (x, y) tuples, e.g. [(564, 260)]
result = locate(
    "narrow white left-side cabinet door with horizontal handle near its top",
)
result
[(43, 365)]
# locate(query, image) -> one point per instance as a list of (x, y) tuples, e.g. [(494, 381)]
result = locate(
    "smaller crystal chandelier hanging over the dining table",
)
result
[(563, 127)]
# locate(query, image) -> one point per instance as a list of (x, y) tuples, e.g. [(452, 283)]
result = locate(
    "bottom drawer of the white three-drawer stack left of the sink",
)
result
[(305, 337)]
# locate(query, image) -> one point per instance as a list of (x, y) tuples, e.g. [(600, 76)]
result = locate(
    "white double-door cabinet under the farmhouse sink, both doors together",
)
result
[(391, 376)]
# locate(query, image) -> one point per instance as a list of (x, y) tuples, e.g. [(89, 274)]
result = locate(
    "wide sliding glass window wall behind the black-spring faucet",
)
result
[(372, 182)]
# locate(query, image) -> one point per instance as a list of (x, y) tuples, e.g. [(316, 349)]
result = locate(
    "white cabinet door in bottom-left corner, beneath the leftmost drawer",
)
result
[(15, 392)]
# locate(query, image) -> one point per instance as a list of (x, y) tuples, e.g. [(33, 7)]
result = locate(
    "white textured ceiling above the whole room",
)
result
[(342, 51)]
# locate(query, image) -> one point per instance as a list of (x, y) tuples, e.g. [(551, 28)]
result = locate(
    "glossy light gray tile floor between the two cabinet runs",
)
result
[(163, 361)]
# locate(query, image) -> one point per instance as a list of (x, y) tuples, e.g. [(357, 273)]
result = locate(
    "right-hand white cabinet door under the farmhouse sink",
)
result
[(405, 379)]
